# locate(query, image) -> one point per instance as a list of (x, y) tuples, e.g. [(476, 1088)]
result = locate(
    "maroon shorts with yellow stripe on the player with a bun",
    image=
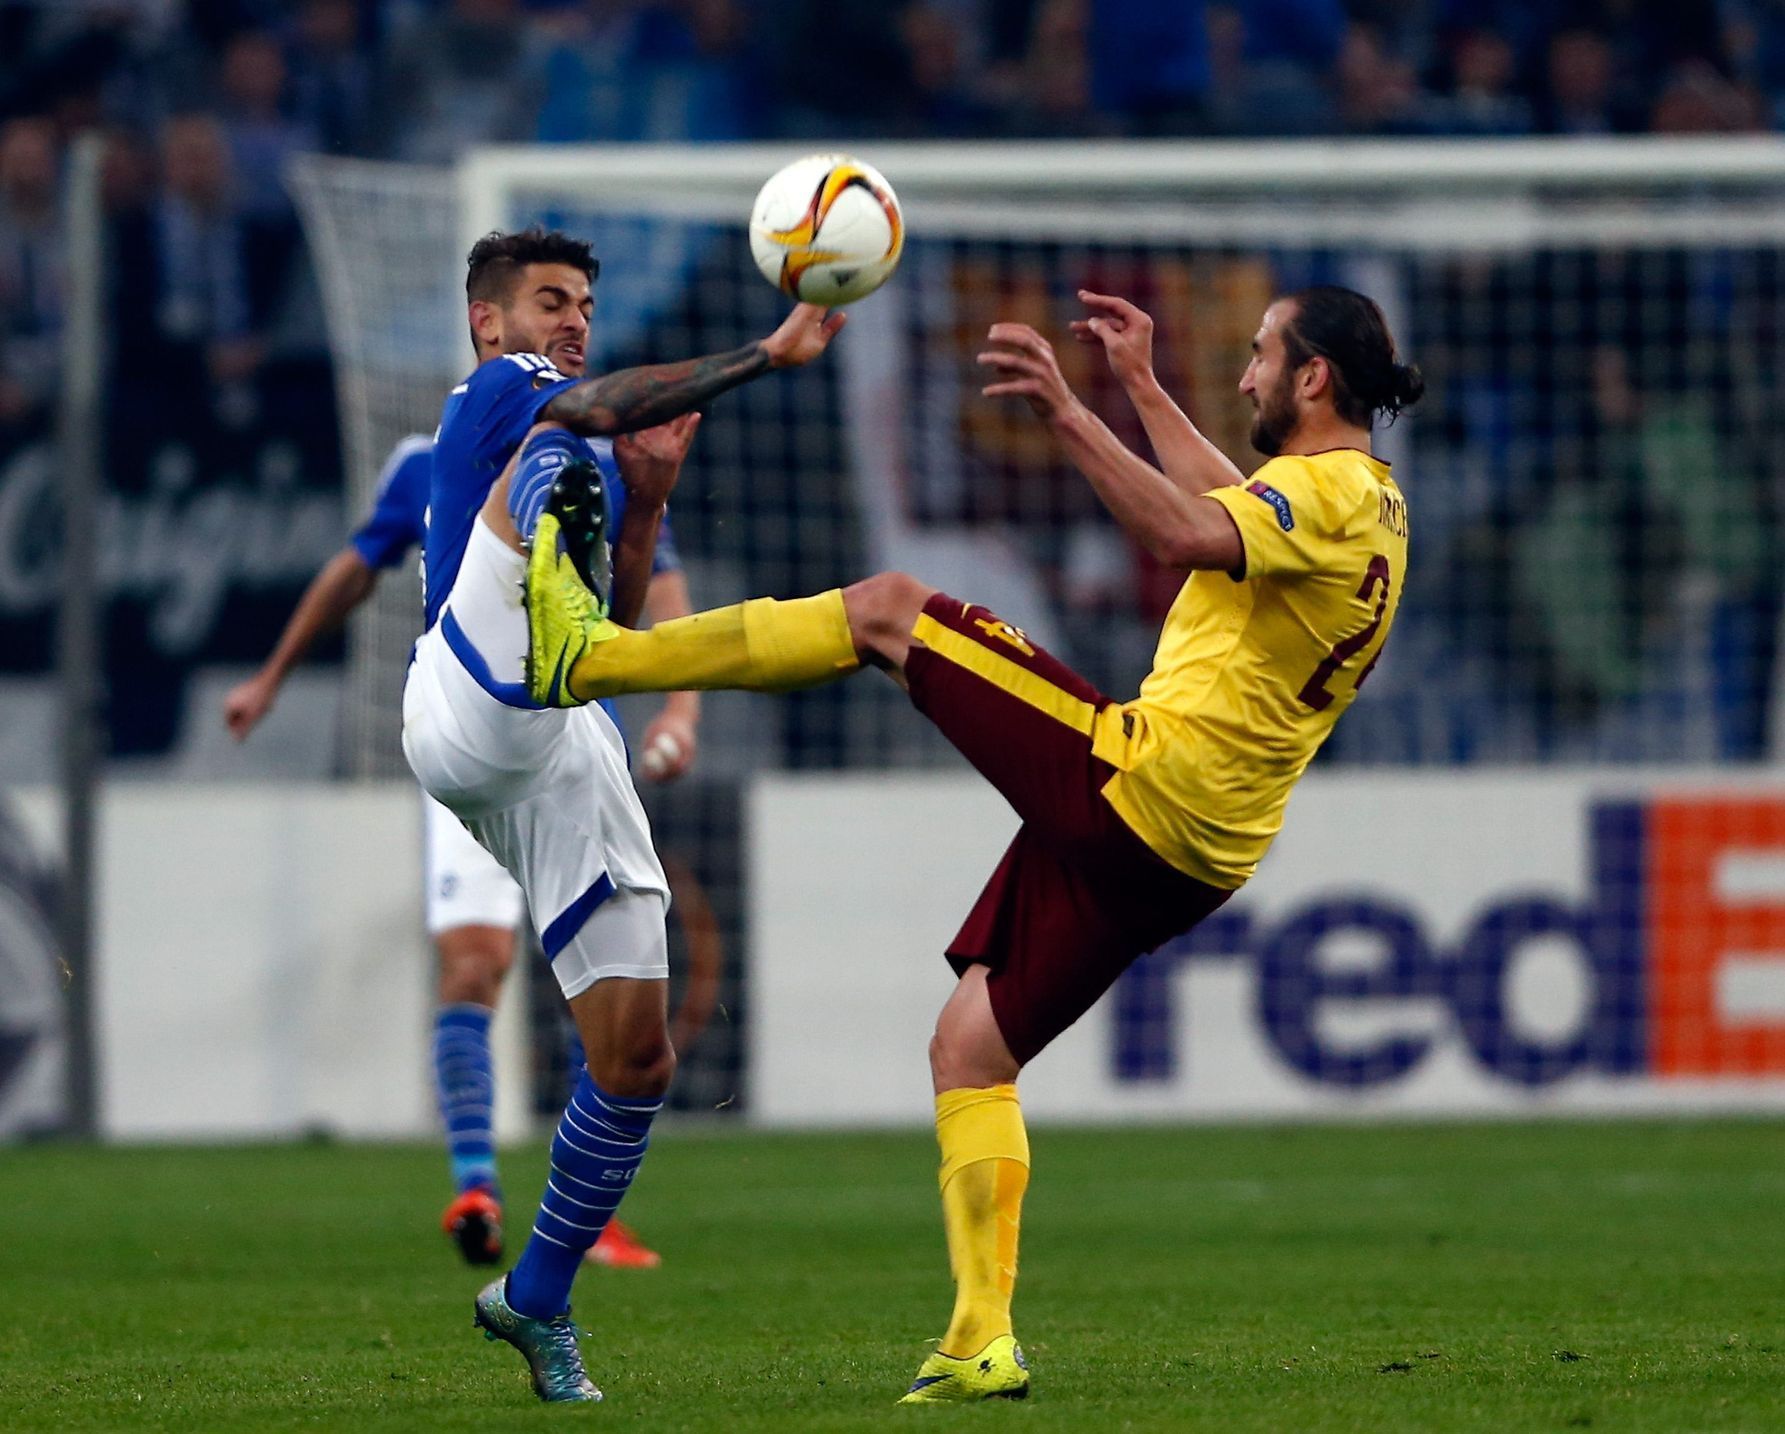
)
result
[(1077, 897)]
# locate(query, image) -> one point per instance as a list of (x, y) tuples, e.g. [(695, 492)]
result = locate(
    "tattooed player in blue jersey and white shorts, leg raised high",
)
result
[(545, 790)]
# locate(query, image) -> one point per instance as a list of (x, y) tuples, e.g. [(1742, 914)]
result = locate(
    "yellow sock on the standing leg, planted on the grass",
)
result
[(984, 1176)]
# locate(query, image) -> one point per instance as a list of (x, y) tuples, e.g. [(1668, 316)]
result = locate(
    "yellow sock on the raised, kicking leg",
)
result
[(761, 646)]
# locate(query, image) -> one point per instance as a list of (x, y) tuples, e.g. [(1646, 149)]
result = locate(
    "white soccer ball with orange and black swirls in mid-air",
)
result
[(827, 229)]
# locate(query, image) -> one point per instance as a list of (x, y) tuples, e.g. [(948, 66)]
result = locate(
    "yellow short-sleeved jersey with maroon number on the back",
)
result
[(1254, 669)]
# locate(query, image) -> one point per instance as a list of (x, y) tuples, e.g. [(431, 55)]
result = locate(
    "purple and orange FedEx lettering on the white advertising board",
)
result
[(1681, 942)]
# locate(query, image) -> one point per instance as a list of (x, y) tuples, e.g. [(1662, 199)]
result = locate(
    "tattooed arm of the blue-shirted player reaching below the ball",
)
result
[(651, 396)]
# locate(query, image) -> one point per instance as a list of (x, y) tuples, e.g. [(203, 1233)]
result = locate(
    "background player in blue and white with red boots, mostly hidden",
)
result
[(474, 908)]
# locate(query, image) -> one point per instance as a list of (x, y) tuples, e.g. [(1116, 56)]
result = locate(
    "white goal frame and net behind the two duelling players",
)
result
[(1595, 472)]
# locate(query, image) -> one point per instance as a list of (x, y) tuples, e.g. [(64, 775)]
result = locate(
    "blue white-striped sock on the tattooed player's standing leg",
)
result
[(599, 1149)]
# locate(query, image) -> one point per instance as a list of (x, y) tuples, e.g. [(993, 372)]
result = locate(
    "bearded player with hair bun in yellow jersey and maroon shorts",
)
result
[(1140, 819)]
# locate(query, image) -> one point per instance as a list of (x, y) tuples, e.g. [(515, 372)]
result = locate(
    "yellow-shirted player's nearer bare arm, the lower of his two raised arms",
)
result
[(1177, 528)]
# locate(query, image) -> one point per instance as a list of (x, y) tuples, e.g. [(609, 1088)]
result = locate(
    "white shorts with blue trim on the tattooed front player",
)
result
[(544, 792)]
